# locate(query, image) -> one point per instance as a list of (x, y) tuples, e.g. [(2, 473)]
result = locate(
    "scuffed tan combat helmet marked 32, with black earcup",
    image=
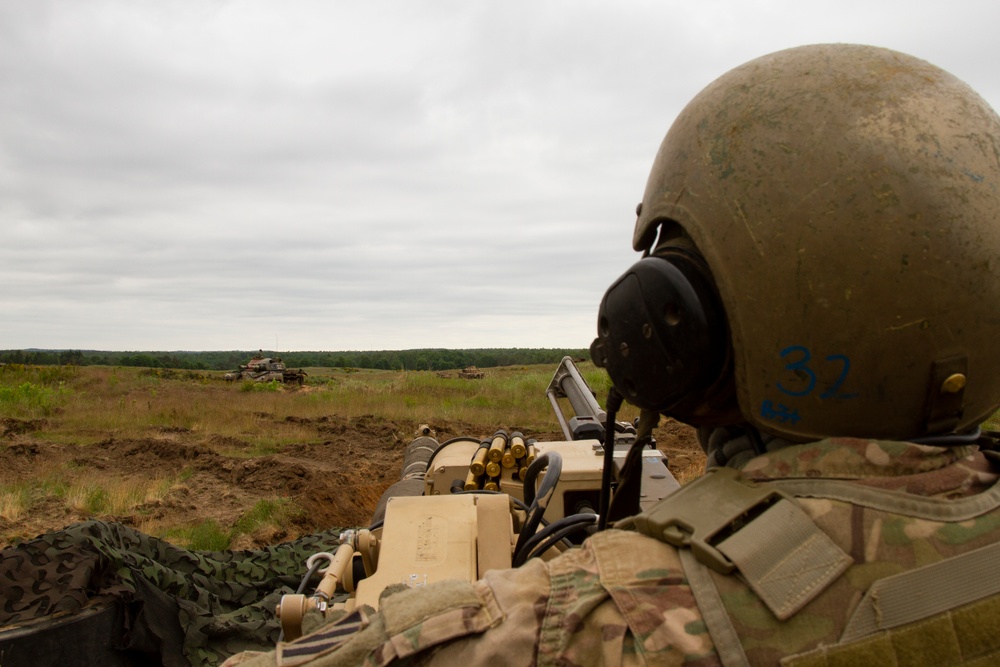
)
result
[(822, 253)]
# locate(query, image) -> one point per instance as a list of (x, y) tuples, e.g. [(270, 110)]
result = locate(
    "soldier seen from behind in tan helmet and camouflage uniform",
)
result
[(819, 294)]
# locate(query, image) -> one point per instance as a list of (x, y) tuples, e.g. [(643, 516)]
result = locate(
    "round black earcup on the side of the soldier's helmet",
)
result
[(662, 334)]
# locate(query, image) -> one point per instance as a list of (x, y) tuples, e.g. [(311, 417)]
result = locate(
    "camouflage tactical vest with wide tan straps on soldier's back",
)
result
[(823, 573)]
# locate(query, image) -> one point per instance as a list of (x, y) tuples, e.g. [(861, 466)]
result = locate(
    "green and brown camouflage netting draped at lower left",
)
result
[(194, 607)]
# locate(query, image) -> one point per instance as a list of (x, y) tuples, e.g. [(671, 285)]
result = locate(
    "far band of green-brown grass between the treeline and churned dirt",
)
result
[(95, 403)]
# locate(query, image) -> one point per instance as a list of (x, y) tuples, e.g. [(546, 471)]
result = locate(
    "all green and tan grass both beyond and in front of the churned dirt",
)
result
[(90, 405)]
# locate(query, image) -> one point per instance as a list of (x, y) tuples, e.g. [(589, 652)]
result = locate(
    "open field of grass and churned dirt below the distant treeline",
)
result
[(215, 464)]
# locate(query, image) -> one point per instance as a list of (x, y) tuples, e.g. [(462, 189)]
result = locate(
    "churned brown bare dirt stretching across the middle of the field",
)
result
[(336, 479)]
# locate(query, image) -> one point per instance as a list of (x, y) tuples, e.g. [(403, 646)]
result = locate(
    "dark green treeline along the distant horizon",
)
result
[(431, 359)]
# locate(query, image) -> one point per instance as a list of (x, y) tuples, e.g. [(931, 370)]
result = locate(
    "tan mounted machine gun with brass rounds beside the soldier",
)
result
[(470, 505)]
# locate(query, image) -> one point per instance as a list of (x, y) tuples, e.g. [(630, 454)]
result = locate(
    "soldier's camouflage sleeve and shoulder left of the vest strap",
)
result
[(620, 600)]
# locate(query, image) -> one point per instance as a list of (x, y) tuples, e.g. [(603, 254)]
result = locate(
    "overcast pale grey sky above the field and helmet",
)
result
[(321, 175)]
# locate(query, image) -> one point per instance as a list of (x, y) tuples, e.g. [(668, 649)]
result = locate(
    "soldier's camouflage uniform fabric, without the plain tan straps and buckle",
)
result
[(625, 598)]
